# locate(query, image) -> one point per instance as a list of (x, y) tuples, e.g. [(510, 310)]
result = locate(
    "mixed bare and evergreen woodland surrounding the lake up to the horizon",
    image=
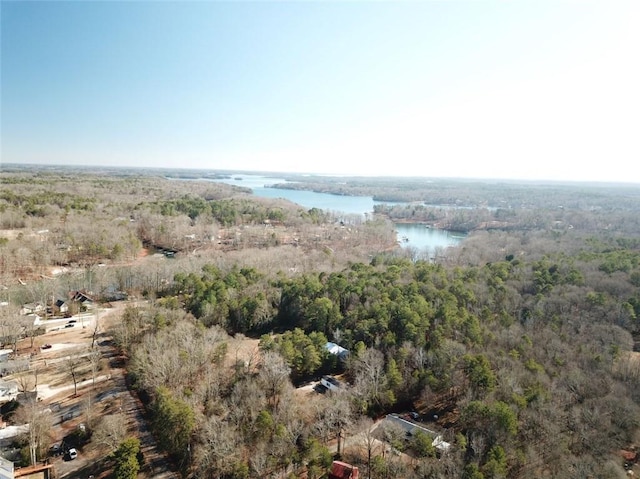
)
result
[(517, 346)]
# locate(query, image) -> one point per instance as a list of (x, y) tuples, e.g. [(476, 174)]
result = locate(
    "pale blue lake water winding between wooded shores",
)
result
[(410, 235)]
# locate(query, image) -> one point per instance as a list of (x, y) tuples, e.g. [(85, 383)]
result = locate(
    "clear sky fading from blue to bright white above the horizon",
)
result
[(535, 90)]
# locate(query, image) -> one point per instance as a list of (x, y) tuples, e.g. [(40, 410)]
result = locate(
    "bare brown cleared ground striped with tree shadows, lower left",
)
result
[(100, 391)]
